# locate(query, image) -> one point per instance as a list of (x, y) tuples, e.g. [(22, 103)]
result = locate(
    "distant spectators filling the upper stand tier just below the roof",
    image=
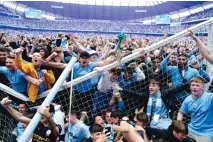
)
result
[(93, 25)]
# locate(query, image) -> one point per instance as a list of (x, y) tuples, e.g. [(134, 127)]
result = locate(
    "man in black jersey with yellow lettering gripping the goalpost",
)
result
[(47, 129)]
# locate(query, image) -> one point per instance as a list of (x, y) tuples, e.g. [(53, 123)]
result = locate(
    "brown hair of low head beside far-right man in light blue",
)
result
[(179, 127)]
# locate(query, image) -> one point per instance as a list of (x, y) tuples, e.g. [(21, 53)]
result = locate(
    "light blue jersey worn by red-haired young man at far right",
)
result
[(201, 111)]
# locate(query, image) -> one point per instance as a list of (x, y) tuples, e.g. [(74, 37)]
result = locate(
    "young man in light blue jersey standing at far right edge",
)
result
[(200, 106)]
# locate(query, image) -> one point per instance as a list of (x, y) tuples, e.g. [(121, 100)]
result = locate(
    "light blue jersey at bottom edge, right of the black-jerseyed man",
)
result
[(77, 132)]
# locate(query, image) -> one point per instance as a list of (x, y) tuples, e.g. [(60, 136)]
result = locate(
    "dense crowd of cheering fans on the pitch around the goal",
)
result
[(32, 65)]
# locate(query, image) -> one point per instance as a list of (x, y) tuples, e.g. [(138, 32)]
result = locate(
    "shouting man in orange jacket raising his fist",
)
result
[(34, 70)]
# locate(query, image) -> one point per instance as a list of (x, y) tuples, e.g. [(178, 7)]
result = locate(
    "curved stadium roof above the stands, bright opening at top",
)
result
[(108, 9)]
